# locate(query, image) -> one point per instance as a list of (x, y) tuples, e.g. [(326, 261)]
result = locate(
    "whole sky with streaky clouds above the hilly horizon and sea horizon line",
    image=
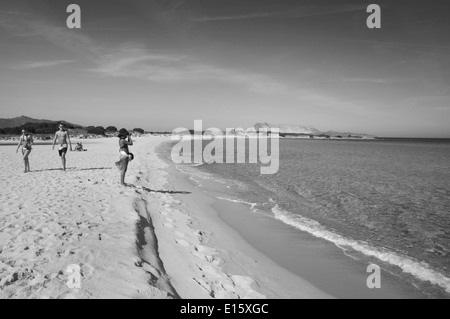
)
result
[(161, 64)]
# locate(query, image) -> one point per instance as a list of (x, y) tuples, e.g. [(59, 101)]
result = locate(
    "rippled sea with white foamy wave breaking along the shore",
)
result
[(384, 199)]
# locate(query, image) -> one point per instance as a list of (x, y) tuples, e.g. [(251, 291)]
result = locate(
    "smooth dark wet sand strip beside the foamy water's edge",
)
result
[(326, 266)]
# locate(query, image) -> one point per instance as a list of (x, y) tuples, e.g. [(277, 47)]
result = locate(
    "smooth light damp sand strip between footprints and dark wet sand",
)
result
[(239, 257)]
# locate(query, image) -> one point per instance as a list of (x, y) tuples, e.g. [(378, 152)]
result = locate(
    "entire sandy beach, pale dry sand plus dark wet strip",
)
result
[(80, 234)]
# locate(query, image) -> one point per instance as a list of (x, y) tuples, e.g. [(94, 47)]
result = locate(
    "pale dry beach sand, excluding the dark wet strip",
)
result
[(153, 239)]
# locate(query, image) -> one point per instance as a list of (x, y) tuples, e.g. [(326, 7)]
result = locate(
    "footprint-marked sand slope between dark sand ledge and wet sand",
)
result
[(194, 242)]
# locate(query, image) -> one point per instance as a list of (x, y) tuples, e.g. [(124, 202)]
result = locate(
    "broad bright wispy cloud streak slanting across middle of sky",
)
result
[(175, 69)]
